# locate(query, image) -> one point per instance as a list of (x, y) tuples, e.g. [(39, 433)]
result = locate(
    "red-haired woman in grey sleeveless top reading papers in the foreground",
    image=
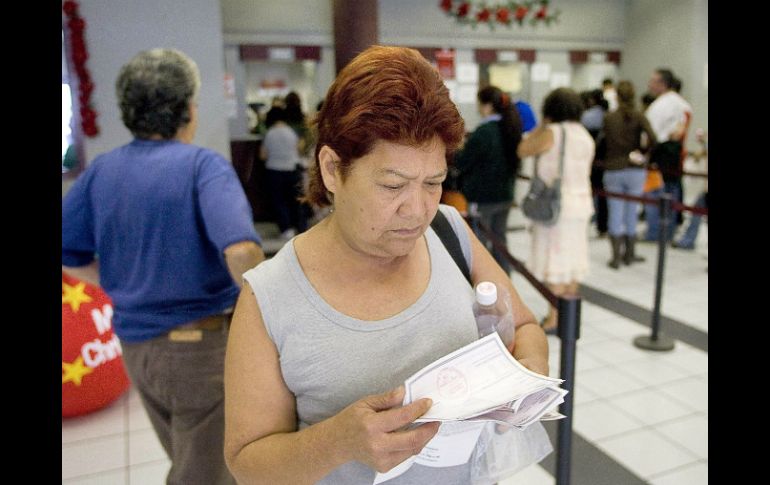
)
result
[(325, 332)]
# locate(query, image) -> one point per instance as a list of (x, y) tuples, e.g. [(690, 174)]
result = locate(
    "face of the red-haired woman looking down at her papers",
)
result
[(390, 197)]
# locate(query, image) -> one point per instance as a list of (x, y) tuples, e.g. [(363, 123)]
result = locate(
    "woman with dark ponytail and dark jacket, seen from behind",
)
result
[(488, 164)]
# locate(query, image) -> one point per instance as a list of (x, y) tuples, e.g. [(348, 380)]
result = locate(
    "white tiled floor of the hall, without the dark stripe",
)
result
[(646, 410)]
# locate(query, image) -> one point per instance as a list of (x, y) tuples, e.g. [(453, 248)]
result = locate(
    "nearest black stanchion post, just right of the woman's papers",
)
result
[(569, 332)]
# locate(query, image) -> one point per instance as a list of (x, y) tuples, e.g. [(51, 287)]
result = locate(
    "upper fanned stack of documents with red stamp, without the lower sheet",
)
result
[(483, 382)]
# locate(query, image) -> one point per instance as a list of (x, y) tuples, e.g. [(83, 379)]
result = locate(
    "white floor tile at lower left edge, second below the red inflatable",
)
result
[(93, 456)]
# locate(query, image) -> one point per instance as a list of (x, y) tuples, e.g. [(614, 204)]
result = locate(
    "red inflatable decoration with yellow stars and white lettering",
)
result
[(92, 368)]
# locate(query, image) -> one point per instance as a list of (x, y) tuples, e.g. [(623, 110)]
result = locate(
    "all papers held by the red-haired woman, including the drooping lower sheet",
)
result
[(473, 385)]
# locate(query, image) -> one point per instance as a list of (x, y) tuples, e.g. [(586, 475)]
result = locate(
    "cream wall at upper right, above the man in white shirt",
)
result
[(671, 34)]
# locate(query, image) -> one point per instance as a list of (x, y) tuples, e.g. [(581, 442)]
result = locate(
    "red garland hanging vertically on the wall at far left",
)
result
[(79, 55)]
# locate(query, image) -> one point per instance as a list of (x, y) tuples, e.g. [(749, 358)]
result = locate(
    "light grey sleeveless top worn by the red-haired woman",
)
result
[(329, 360)]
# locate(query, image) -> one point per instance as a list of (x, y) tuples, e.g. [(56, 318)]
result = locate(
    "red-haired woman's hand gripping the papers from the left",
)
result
[(371, 429)]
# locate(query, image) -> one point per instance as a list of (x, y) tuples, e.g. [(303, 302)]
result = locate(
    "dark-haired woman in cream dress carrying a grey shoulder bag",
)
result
[(560, 252)]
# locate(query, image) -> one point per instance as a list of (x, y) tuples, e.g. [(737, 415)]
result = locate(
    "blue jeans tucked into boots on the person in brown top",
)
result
[(623, 215)]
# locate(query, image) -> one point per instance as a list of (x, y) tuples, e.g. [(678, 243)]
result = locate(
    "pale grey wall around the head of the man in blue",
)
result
[(117, 30)]
